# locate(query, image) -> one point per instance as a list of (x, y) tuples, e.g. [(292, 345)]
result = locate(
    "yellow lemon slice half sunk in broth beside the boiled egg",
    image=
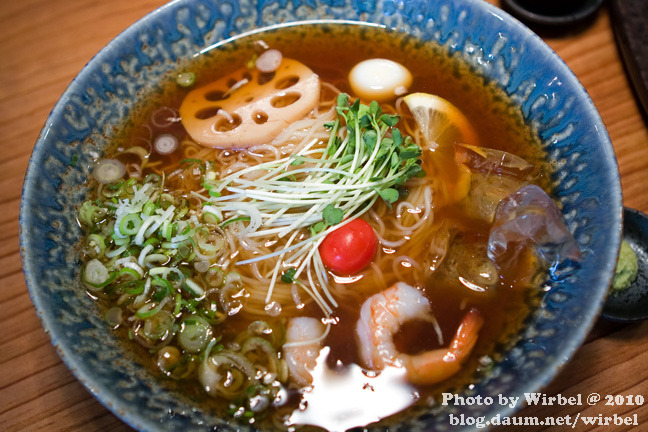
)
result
[(441, 126)]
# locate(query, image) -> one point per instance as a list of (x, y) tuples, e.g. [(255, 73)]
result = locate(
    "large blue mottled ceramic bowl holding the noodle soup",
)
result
[(496, 46)]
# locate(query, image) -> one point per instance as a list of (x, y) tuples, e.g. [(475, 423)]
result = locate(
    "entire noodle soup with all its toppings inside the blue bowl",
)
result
[(290, 254)]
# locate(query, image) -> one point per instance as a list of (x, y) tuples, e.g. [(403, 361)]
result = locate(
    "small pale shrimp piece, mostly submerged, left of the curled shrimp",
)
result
[(303, 343)]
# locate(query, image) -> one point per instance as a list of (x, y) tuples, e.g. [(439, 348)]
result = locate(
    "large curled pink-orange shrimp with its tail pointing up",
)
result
[(380, 318)]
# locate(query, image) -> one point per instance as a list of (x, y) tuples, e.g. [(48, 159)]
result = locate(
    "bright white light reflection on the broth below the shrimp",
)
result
[(339, 400)]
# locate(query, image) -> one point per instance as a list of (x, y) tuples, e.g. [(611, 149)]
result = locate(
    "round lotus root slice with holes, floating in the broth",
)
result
[(250, 107)]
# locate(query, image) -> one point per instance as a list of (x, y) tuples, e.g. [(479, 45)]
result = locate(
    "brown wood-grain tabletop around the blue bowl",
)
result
[(44, 44)]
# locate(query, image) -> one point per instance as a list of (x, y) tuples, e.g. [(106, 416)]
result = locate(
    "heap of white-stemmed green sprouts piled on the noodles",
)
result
[(366, 159)]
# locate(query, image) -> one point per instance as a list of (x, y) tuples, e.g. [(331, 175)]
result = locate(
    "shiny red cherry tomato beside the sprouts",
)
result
[(350, 248)]
